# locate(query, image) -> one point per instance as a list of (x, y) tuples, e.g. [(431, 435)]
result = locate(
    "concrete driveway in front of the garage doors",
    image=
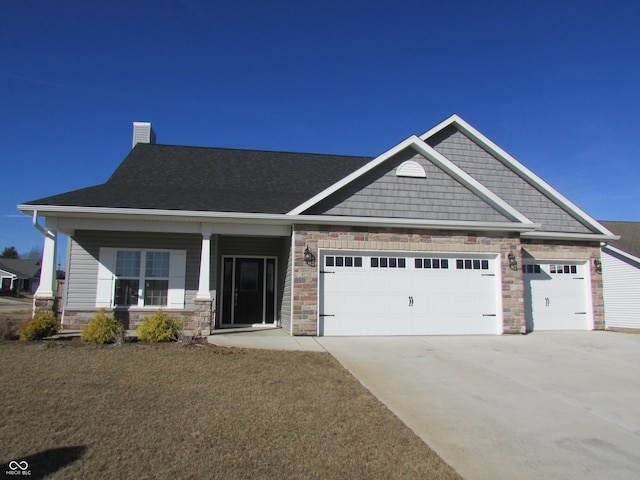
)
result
[(545, 405)]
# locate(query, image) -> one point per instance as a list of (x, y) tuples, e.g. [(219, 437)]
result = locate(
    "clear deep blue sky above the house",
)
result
[(554, 83)]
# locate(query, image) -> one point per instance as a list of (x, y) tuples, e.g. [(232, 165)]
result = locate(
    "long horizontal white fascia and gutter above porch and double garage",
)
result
[(270, 219)]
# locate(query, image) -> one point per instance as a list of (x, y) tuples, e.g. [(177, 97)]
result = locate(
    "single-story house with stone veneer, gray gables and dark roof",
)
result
[(444, 233)]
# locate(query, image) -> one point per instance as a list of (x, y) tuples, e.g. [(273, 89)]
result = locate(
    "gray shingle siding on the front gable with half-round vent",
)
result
[(380, 193)]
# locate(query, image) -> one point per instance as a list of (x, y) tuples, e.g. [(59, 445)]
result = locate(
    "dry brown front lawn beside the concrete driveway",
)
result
[(139, 411)]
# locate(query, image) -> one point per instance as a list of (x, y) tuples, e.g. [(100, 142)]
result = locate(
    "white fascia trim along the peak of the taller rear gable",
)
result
[(514, 164)]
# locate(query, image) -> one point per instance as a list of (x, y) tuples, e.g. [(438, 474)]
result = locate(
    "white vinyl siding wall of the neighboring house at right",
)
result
[(621, 284)]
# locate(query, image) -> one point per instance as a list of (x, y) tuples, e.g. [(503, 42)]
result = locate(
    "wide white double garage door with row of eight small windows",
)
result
[(386, 293)]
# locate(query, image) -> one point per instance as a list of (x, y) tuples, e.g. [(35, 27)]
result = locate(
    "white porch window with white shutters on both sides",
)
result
[(141, 278)]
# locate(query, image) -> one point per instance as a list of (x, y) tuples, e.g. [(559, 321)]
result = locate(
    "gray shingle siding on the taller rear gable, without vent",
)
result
[(504, 182)]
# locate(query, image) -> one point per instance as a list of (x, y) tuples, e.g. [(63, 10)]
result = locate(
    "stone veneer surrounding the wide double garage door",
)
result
[(305, 288)]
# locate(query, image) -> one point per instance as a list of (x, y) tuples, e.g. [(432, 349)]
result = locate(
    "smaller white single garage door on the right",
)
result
[(557, 296)]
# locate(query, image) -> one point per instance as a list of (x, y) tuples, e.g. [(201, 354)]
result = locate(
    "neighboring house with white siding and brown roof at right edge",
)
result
[(621, 275)]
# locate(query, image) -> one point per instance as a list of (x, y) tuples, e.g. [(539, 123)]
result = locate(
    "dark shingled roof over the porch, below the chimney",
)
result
[(168, 177)]
